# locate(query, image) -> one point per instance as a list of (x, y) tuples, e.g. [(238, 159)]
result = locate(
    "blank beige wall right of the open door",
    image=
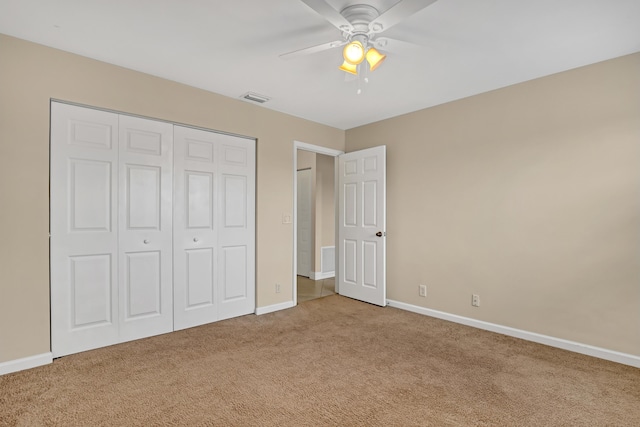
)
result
[(528, 196)]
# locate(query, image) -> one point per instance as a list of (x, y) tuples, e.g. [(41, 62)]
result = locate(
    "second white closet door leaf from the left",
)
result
[(145, 224)]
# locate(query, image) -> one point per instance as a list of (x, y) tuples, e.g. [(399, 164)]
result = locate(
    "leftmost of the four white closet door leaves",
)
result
[(84, 230)]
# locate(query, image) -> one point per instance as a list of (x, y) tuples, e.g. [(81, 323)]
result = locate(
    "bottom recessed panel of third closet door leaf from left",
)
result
[(200, 278)]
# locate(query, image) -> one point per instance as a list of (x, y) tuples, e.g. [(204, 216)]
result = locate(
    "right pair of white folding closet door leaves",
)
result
[(214, 205)]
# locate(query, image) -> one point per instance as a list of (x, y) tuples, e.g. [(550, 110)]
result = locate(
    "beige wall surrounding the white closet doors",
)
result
[(30, 75)]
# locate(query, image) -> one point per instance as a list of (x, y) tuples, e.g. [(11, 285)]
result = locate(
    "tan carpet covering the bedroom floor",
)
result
[(327, 362)]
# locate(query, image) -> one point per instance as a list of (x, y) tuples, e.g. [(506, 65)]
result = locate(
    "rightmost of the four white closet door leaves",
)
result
[(236, 237)]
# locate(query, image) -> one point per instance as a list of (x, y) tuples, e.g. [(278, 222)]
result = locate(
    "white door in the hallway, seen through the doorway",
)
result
[(304, 221)]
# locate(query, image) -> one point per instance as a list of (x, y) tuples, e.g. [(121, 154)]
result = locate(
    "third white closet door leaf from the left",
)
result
[(195, 232)]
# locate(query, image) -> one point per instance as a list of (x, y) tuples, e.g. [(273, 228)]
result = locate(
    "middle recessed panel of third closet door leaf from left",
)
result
[(200, 194)]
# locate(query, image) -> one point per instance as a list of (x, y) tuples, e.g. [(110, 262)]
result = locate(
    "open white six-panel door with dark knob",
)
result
[(362, 225)]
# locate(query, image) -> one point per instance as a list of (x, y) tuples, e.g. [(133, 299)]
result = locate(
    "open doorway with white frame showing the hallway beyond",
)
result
[(314, 219)]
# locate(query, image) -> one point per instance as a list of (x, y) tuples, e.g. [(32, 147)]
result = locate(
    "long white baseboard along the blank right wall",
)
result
[(602, 353)]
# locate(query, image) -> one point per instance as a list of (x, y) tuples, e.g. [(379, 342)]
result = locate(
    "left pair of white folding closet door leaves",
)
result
[(111, 228)]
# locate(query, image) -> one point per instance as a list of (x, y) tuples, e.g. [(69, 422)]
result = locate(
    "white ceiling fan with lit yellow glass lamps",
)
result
[(361, 25)]
